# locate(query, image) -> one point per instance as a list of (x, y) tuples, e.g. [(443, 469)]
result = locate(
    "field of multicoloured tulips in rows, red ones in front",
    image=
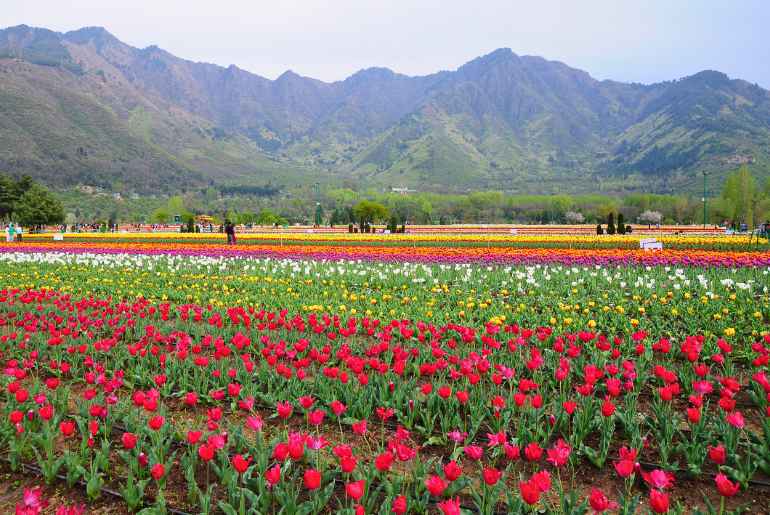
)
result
[(552, 375)]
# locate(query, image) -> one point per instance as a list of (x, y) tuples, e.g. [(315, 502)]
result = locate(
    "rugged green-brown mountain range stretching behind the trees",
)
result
[(83, 108)]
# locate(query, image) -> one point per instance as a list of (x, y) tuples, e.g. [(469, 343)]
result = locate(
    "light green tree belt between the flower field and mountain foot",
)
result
[(742, 200)]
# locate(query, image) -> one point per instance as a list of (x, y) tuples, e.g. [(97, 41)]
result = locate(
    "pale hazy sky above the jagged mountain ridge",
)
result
[(628, 40)]
